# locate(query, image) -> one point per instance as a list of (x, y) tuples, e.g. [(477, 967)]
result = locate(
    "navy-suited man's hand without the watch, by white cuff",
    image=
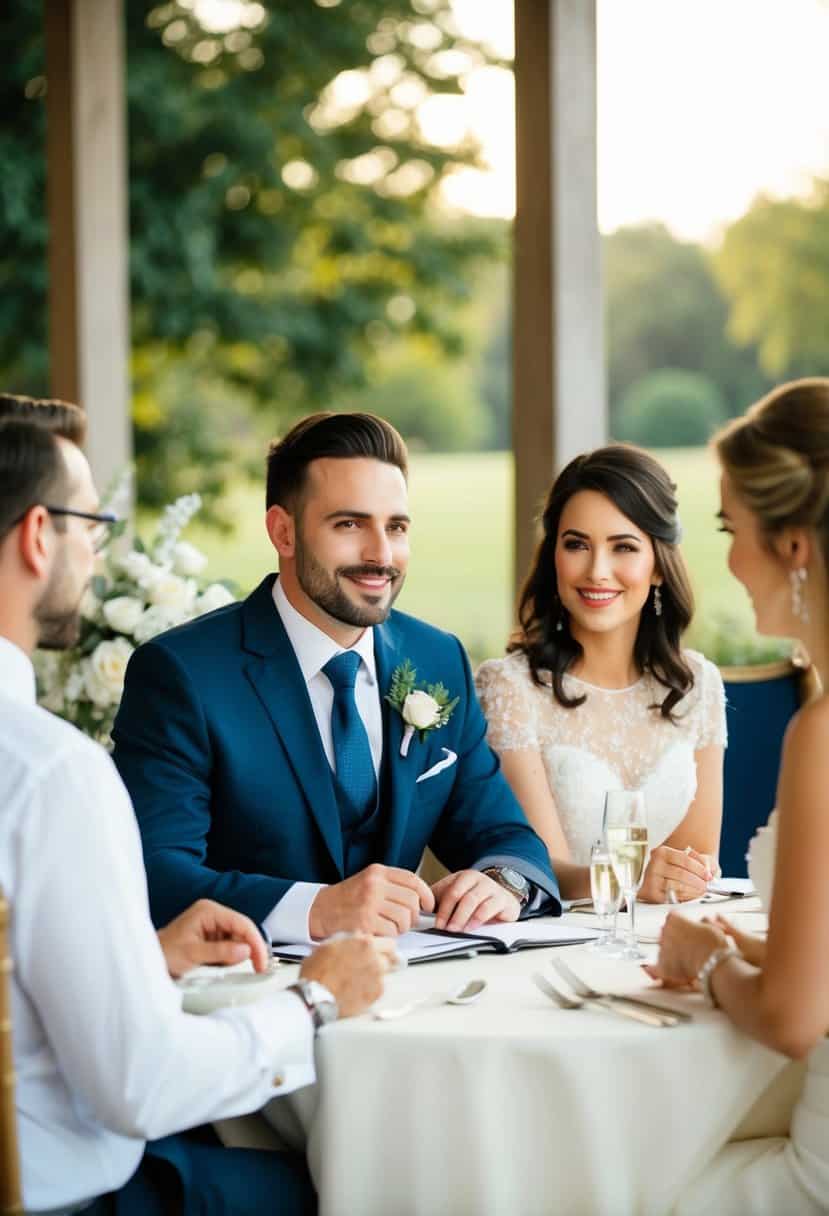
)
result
[(381, 900)]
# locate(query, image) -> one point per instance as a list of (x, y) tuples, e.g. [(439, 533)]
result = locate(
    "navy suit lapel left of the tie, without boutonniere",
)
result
[(278, 680)]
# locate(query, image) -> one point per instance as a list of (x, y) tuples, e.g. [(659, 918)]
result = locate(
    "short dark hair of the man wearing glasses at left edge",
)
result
[(32, 471)]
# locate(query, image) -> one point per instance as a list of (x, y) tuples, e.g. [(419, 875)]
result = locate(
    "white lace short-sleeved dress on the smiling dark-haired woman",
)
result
[(613, 741)]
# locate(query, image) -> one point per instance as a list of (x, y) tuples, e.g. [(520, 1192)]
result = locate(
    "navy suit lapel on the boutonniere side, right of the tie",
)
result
[(403, 772)]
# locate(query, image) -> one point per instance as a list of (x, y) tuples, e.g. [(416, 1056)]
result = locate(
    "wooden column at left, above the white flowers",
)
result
[(88, 210)]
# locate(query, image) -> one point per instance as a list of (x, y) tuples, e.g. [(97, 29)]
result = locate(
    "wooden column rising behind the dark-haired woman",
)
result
[(559, 341)]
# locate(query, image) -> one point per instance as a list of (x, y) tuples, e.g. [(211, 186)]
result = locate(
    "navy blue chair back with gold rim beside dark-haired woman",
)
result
[(759, 703)]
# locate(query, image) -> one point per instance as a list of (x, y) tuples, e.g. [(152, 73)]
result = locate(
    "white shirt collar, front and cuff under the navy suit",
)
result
[(289, 921)]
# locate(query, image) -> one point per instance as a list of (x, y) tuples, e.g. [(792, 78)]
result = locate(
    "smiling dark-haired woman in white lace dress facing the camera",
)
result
[(596, 693)]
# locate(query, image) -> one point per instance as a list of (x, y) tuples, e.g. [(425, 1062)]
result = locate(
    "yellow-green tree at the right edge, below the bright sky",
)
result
[(774, 268)]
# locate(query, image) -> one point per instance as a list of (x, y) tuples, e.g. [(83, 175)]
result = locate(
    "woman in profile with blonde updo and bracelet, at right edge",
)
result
[(776, 505)]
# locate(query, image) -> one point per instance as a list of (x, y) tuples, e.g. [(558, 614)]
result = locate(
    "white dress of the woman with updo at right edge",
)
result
[(777, 1175)]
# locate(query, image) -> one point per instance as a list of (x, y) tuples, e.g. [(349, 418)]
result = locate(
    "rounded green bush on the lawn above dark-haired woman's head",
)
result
[(670, 408)]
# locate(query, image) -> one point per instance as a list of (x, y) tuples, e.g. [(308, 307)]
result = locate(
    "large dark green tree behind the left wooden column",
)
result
[(283, 199)]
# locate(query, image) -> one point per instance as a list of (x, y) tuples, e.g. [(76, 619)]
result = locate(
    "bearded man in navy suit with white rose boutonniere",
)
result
[(267, 767)]
